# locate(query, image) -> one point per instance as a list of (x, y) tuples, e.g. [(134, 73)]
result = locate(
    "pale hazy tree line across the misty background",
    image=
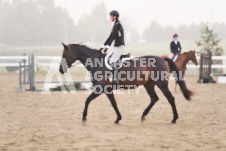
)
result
[(40, 22)]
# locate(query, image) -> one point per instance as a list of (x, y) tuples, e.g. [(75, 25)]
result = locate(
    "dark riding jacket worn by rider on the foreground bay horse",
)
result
[(117, 34)]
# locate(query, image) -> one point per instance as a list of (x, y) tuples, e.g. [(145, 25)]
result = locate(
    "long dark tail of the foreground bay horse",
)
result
[(187, 93)]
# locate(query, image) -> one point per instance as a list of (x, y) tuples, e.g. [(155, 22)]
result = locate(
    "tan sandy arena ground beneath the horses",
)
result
[(33, 121)]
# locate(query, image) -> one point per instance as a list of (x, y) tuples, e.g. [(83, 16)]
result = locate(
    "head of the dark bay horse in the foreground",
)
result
[(68, 58)]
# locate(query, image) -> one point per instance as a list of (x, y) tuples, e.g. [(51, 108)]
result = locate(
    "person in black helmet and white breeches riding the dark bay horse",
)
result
[(117, 34)]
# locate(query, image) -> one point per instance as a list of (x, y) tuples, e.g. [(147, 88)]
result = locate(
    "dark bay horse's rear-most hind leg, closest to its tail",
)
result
[(164, 88)]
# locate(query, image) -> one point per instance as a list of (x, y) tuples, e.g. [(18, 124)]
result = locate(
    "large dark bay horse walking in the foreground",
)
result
[(73, 52)]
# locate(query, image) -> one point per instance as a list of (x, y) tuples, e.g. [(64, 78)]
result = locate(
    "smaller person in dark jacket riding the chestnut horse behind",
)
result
[(175, 48)]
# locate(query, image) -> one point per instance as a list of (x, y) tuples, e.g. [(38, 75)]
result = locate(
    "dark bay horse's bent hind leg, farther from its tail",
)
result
[(154, 98)]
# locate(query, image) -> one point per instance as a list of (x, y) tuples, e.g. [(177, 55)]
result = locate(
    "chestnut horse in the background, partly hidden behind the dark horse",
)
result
[(182, 61)]
